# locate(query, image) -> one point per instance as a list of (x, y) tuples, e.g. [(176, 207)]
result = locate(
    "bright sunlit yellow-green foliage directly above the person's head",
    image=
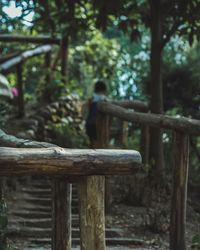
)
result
[(95, 59)]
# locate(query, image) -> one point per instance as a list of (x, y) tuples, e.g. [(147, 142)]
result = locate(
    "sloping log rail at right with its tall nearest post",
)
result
[(182, 127)]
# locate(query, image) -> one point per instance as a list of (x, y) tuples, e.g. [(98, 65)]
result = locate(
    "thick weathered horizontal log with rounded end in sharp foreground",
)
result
[(58, 162)]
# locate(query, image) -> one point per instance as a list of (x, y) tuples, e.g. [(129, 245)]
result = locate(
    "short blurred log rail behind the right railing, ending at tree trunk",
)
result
[(137, 105)]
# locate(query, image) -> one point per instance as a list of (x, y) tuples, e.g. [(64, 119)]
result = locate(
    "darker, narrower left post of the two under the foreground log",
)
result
[(61, 215)]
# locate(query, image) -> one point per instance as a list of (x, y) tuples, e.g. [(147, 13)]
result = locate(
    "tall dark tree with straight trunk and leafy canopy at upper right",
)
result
[(164, 18)]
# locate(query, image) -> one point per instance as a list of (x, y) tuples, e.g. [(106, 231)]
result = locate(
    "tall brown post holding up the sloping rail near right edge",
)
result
[(179, 195)]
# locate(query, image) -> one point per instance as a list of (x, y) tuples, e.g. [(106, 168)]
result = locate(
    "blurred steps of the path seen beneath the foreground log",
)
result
[(29, 217)]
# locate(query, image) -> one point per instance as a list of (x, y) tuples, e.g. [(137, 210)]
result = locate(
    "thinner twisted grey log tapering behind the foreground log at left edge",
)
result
[(7, 140)]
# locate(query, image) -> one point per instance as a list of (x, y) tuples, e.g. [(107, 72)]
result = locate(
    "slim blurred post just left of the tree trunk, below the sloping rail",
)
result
[(144, 144)]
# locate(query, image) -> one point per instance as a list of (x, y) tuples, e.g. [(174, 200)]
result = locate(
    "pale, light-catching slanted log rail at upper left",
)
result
[(23, 56)]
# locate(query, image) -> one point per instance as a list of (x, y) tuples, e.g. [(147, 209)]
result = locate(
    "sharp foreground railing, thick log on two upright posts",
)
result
[(64, 166)]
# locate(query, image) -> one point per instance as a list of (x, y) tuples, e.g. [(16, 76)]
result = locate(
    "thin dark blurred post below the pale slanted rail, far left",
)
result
[(20, 90)]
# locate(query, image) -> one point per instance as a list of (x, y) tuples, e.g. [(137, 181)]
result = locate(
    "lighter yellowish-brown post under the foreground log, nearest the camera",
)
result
[(92, 218)]
